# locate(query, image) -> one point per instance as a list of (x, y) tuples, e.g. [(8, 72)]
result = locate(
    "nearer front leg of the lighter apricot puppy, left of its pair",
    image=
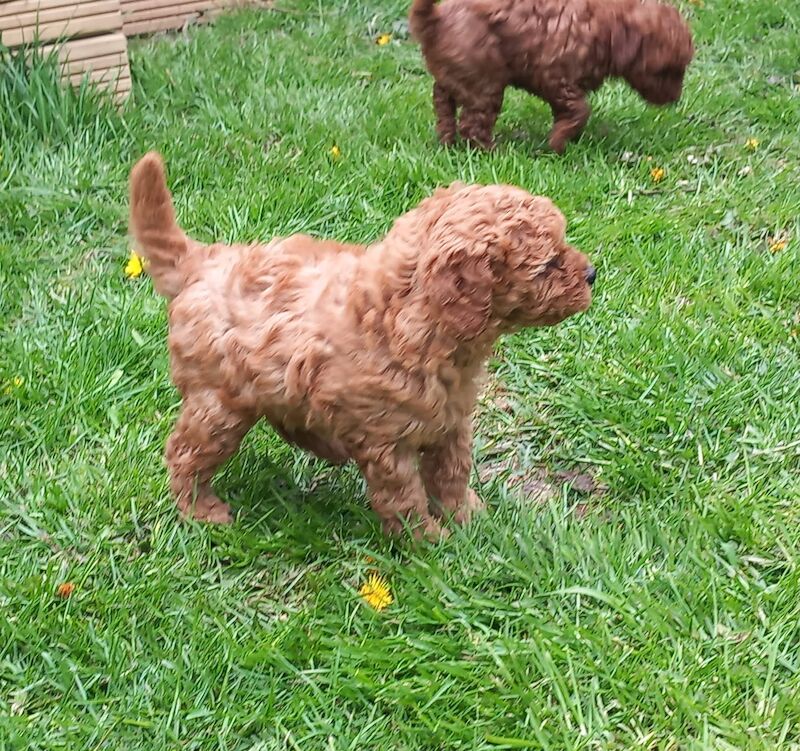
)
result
[(396, 491)]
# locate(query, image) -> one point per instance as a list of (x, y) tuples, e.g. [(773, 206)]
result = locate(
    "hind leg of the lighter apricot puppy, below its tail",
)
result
[(206, 435)]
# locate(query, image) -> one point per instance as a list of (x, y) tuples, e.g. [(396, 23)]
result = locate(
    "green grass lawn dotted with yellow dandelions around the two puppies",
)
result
[(661, 614)]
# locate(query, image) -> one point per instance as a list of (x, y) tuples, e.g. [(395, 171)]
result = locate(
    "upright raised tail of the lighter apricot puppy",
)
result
[(156, 233)]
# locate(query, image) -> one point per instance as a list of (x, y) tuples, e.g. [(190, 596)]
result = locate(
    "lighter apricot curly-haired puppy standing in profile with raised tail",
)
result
[(365, 353)]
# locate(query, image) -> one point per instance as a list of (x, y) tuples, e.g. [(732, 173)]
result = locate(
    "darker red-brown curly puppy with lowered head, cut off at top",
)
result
[(557, 49)]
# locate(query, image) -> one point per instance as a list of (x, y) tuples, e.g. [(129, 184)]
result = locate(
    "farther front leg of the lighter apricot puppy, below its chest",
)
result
[(445, 470)]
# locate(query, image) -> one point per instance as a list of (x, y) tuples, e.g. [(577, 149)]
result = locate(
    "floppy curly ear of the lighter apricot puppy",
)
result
[(459, 286)]
